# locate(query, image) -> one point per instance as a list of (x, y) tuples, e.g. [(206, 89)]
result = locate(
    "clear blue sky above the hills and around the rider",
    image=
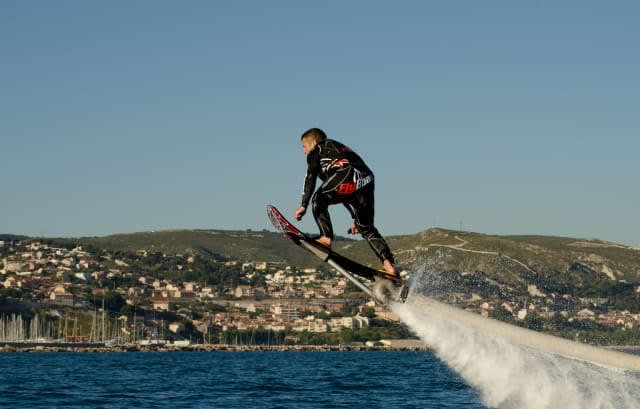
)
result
[(505, 117)]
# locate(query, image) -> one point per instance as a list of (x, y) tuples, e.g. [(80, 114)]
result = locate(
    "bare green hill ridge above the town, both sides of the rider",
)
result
[(508, 259)]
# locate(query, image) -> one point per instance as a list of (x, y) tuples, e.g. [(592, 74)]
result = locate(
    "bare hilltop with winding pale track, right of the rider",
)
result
[(521, 256)]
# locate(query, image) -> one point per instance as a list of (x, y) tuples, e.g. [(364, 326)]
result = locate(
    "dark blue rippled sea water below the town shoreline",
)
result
[(231, 380)]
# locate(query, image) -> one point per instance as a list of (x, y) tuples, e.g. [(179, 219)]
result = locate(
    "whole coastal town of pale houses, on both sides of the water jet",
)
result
[(76, 294)]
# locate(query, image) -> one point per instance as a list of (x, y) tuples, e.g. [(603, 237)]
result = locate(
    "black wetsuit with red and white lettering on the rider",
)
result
[(345, 179)]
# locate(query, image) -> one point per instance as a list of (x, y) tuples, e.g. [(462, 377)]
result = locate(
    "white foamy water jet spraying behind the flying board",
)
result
[(510, 373)]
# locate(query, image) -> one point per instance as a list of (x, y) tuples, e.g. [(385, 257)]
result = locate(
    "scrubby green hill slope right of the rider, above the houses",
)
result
[(513, 263)]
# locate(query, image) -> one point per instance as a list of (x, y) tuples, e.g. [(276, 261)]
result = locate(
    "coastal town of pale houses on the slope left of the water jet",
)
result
[(268, 298)]
